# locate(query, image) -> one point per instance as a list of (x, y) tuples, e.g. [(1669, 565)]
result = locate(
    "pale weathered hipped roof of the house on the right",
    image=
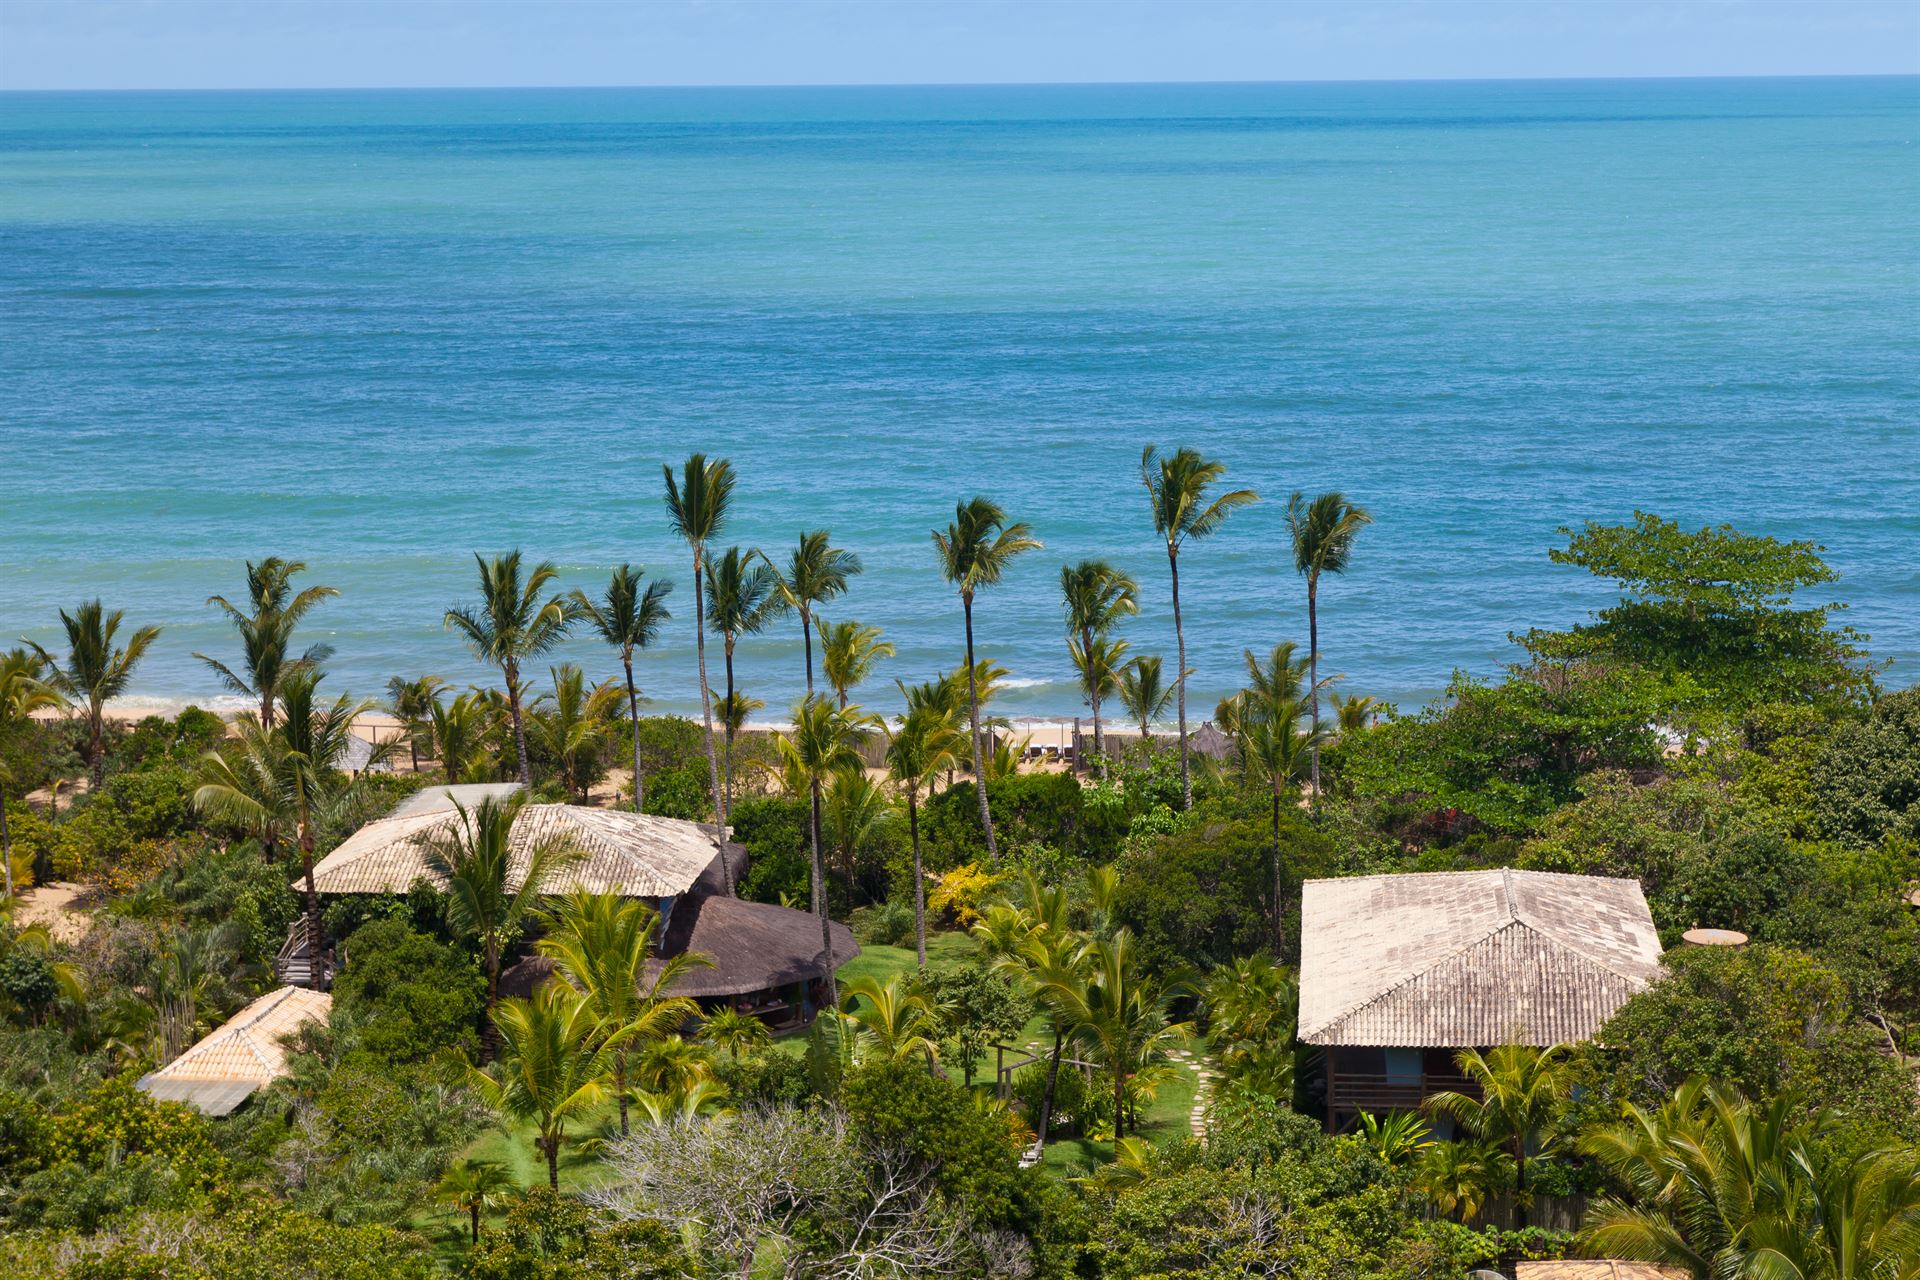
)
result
[(1470, 959)]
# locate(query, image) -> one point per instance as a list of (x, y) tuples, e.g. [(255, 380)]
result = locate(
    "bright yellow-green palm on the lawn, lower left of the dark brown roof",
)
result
[(552, 1068)]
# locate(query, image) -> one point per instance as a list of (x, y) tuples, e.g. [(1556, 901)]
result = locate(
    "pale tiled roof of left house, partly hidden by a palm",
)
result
[(635, 855)]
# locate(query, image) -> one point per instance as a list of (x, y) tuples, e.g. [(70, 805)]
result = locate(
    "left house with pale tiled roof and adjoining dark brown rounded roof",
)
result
[(765, 959)]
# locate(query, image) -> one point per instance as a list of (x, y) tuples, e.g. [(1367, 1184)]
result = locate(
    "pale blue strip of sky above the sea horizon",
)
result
[(510, 43)]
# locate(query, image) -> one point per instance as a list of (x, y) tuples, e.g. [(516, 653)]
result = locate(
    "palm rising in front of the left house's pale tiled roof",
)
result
[(477, 865)]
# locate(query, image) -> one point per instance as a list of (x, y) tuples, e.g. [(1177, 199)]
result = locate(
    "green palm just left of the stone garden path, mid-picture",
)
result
[(1118, 1012)]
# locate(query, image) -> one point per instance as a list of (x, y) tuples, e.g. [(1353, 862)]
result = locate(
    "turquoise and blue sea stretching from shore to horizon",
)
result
[(381, 331)]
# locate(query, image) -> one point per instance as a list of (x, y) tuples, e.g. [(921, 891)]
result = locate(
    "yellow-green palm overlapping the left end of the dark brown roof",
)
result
[(600, 947)]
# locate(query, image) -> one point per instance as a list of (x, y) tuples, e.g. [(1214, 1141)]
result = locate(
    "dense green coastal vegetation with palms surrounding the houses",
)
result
[(1714, 736)]
